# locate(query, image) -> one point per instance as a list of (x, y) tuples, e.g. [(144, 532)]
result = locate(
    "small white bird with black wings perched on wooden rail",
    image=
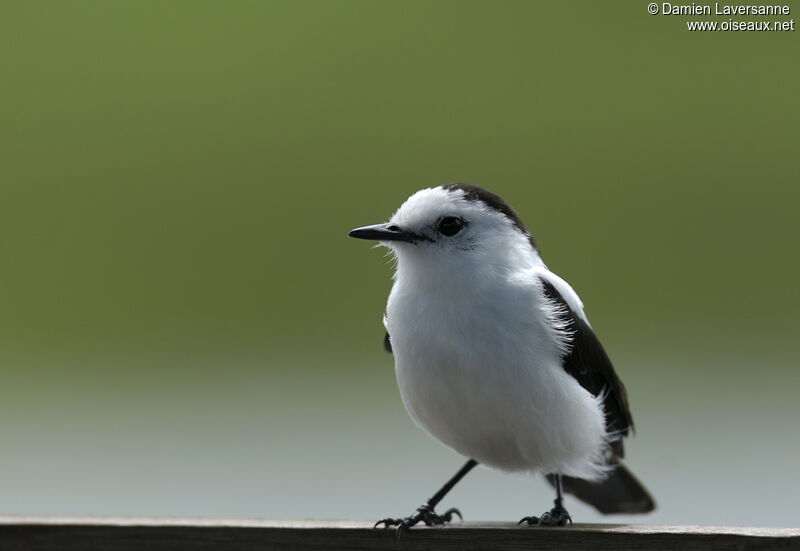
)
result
[(496, 358)]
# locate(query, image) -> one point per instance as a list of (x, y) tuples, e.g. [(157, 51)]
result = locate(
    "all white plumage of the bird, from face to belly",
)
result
[(478, 347)]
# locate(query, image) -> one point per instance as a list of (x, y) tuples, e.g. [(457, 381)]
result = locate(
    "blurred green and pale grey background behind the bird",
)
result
[(185, 328)]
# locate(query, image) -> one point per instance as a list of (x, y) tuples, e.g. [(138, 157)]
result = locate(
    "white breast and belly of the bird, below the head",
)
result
[(481, 371)]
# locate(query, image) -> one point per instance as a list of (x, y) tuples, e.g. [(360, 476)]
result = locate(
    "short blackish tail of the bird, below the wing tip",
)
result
[(620, 493)]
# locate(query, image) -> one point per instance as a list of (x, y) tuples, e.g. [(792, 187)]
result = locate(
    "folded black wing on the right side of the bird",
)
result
[(589, 364)]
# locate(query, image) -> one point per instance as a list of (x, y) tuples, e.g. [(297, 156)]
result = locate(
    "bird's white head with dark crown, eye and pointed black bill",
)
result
[(454, 226)]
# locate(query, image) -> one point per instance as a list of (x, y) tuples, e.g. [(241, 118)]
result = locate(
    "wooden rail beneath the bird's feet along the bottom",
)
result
[(18, 533)]
